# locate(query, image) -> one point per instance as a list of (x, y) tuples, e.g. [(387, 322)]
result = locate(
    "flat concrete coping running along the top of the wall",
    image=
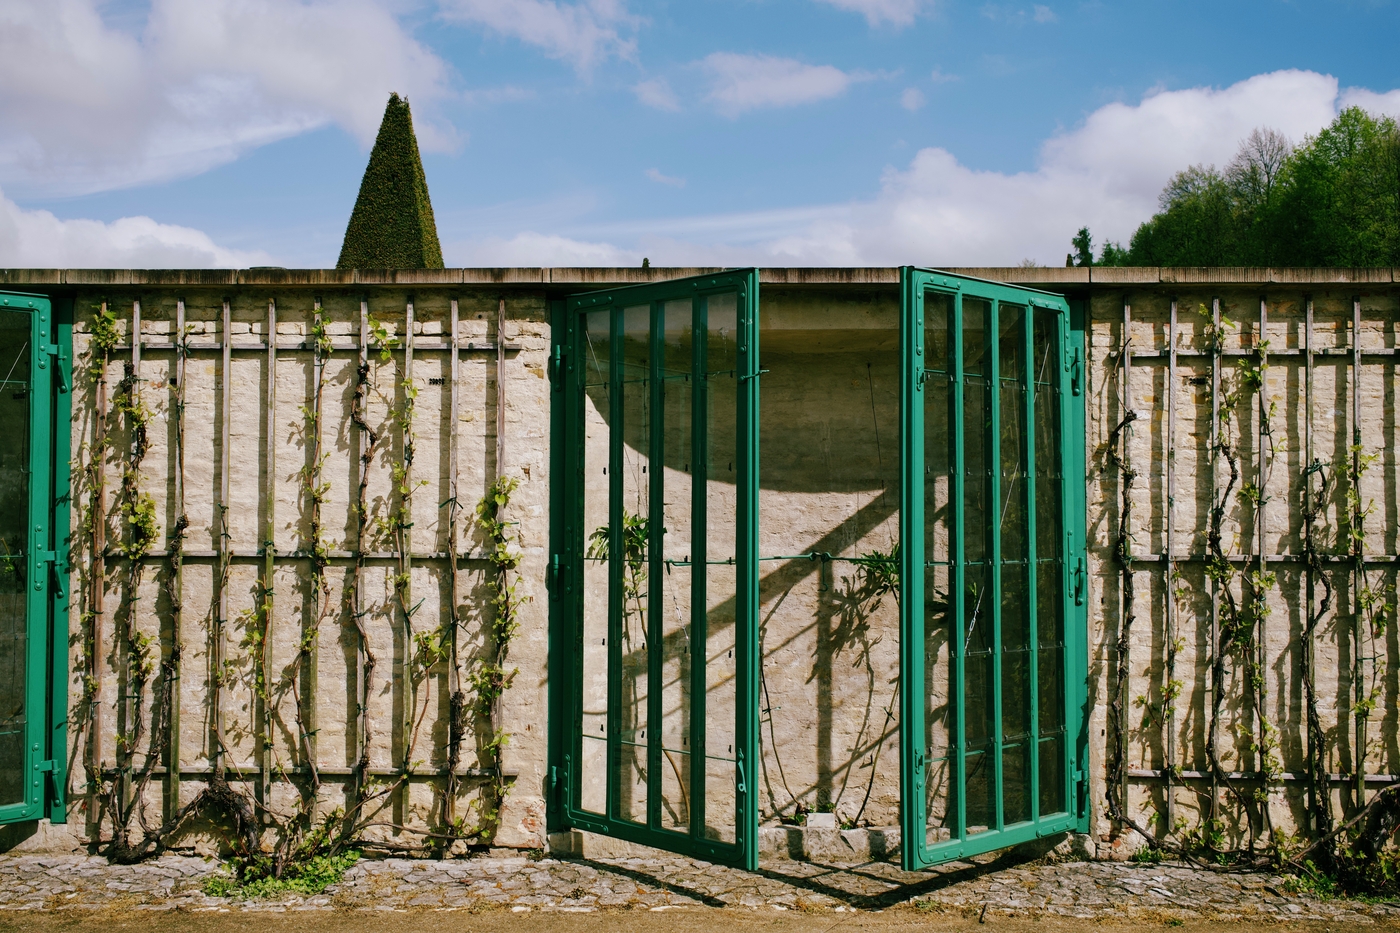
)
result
[(601, 277)]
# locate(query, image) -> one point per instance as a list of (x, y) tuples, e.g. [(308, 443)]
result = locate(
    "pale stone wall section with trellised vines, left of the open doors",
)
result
[(272, 669)]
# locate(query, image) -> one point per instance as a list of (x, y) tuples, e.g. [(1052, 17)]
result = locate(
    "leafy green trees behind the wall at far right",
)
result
[(1332, 201)]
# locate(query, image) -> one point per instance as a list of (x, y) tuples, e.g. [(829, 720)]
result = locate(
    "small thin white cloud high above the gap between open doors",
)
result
[(741, 83)]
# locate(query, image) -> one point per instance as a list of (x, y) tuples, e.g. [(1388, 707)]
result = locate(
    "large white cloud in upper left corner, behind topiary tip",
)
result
[(89, 107)]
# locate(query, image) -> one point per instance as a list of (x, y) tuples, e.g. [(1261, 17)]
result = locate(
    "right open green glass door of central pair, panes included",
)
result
[(992, 568)]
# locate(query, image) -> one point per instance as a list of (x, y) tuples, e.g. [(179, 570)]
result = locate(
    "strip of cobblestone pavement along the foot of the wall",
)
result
[(983, 889)]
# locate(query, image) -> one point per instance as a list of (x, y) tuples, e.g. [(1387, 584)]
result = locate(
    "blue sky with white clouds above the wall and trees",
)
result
[(776, 132)]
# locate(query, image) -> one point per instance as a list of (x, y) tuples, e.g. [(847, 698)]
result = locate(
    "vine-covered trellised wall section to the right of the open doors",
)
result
[(1244, 522)]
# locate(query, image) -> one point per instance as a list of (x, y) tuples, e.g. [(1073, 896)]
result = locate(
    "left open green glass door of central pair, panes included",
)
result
[(654, 721)]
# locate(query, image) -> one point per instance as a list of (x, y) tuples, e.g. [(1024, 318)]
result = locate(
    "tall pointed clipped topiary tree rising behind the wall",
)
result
[(393, 223)]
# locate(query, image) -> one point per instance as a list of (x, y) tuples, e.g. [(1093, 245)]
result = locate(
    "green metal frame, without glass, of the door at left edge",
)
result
[(45, 551)]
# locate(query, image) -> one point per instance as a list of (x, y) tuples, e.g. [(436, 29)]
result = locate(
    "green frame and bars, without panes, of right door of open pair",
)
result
[(916, 757)]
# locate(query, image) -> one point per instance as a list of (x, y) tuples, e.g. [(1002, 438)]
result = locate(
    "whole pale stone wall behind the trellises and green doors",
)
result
[(829, 487)]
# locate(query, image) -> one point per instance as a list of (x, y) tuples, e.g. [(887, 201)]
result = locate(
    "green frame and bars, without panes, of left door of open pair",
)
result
[(570, 539)]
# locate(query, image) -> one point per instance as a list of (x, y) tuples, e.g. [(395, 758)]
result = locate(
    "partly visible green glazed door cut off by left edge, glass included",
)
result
[(34, 527)]
